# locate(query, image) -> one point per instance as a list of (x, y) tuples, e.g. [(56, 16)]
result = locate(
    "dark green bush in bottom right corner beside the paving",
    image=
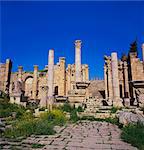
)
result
[(134, 134)]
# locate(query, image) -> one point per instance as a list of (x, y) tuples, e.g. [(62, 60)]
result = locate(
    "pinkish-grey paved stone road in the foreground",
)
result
[(82, 136)]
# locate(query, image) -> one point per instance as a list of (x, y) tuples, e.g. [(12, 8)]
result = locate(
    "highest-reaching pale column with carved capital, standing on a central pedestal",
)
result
[(78, 61)]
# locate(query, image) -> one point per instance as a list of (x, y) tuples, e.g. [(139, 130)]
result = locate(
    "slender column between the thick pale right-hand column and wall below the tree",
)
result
[(126, 79)]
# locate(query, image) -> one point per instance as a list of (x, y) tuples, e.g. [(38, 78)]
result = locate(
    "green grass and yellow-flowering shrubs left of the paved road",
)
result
[(27, 125)]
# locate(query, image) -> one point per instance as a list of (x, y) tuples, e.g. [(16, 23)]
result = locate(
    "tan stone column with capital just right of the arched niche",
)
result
[(35, 82)]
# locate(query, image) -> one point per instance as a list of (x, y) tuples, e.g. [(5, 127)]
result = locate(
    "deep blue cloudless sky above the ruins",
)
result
[(30, 29)]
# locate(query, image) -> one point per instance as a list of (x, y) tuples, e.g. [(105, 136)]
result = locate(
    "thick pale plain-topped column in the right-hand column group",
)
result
[(115, 80)]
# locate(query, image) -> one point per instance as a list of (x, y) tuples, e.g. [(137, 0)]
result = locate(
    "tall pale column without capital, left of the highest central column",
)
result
[(50, 78)]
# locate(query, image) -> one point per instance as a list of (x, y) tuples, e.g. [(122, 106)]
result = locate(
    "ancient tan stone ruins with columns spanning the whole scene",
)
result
[(57, 84)]
